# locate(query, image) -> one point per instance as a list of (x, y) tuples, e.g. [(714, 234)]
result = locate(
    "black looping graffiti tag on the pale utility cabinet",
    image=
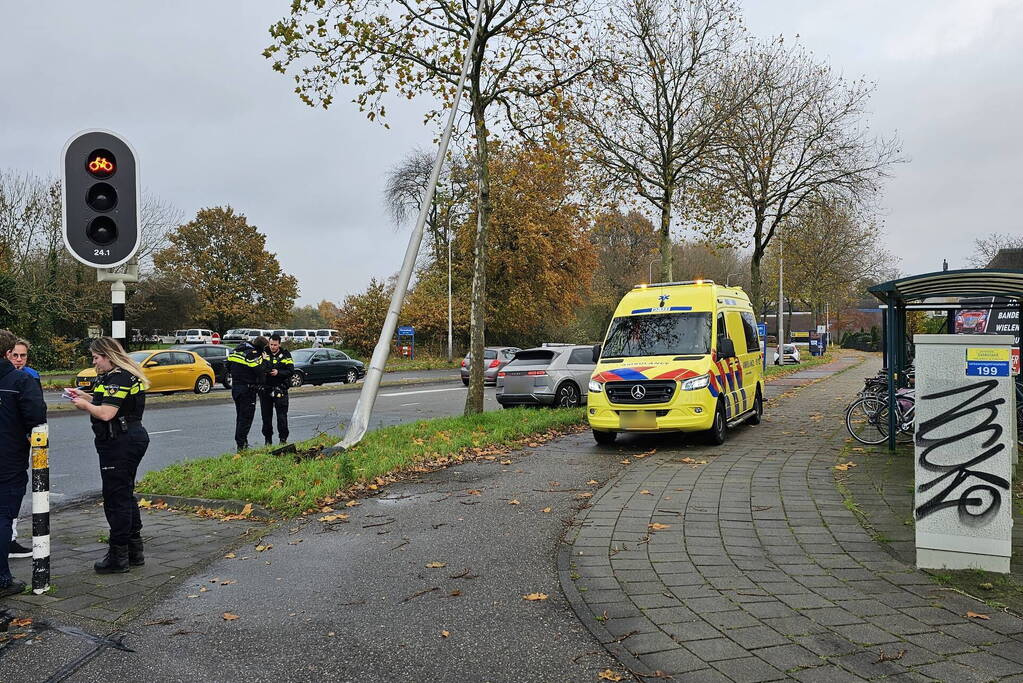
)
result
[(971, 507)]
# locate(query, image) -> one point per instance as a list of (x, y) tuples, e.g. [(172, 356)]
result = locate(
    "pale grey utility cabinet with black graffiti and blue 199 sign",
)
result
[(965, 449)]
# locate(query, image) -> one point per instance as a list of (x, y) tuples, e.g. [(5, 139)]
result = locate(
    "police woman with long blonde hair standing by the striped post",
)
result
[(116, 413)]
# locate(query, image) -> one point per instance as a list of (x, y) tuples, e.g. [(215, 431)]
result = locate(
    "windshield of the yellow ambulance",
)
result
[(658, 335)]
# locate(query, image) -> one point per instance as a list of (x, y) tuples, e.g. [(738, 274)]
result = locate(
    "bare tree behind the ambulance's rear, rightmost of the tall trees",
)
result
[(802, 139)]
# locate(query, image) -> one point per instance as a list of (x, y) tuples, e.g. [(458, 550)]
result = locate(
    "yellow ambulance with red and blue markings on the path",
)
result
[(679, 357)]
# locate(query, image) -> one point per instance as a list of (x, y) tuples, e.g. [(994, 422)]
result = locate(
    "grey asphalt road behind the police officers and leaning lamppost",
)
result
[(207, 429)]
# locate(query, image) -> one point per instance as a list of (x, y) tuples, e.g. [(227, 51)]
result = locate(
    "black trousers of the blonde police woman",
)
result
[(119, 459)]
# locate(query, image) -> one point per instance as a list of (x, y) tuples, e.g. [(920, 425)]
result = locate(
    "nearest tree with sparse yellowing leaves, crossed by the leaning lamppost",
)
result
[(525, 52)]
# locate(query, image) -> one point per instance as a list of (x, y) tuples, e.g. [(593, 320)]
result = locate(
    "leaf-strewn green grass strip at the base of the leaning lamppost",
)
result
[(292, 484)]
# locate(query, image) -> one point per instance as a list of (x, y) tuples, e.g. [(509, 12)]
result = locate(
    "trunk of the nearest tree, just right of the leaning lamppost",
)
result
[(474, 399)]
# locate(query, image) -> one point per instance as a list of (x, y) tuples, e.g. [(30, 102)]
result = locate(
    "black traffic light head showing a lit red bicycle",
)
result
[(101, 199)]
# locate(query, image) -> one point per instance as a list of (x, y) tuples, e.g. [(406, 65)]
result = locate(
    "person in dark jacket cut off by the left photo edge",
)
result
[(22, 407)]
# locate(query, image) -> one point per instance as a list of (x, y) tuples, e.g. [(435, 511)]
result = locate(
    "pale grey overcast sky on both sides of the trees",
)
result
[(186, 82)]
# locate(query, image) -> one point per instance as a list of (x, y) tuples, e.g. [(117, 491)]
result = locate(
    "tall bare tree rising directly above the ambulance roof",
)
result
[(659, 99)]
